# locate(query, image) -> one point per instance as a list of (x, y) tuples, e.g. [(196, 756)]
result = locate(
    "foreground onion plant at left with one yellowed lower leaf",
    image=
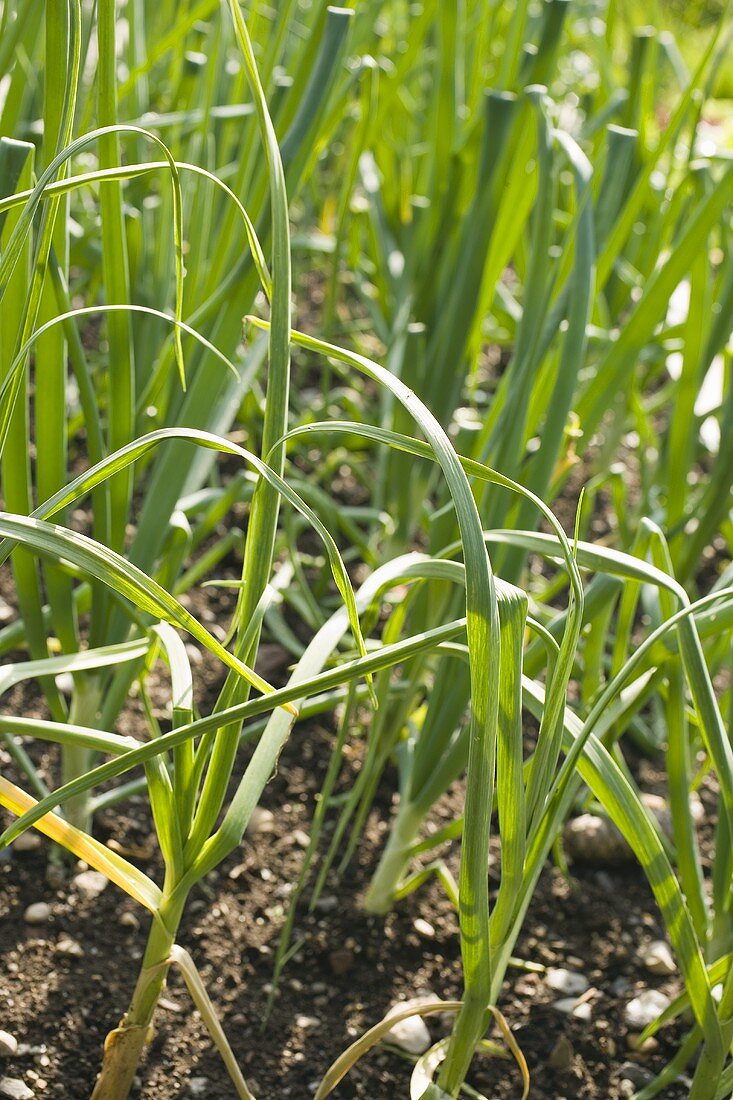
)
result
[(188, 771)]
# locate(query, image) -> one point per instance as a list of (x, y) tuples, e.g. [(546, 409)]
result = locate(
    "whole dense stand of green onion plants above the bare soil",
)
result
[(401, 333)]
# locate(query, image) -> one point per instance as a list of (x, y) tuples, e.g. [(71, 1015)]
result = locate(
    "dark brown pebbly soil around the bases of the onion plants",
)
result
[(349, 971)]
